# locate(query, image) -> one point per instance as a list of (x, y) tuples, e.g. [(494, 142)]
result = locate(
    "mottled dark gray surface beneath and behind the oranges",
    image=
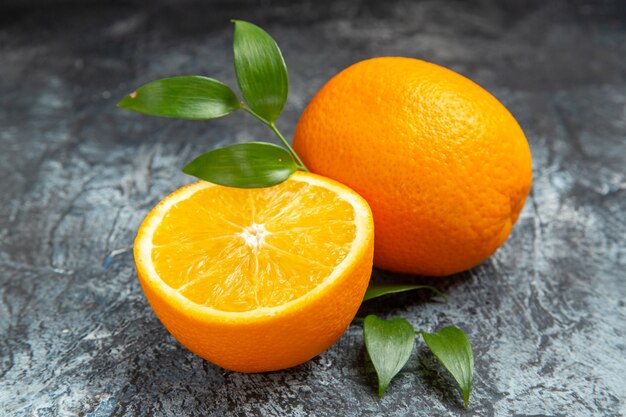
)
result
[(546, 314)]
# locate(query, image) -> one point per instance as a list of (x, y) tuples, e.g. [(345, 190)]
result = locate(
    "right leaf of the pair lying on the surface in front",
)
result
[(453, 350)]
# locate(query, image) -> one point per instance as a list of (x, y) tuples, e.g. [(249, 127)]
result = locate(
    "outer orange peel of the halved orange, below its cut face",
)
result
[(281, 343)]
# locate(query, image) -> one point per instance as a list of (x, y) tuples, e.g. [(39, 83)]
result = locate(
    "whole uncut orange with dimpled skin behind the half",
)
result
[(443, 164)]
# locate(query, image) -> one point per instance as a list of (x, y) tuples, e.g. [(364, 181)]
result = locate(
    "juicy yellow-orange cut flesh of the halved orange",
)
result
[(238, 250)]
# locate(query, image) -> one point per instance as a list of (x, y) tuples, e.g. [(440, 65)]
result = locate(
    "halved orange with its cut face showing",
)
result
[(257, 279)]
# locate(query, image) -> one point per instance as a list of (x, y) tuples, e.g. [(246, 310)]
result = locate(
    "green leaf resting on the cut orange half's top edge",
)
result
[(244, 165)]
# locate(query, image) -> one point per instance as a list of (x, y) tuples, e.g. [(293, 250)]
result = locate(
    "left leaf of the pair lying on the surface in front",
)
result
[(389, 344)]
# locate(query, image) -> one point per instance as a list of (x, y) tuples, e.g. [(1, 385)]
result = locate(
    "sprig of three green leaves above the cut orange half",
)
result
[(263, 82)]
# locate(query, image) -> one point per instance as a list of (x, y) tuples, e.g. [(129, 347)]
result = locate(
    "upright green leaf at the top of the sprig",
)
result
[(261, 70)]
